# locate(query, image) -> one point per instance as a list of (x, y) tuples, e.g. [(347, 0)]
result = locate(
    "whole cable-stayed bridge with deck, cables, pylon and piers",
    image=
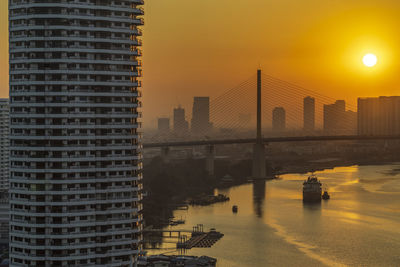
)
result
[(238, 116)]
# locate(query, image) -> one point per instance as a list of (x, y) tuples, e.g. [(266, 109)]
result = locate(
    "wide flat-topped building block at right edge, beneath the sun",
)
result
[(379, 115)]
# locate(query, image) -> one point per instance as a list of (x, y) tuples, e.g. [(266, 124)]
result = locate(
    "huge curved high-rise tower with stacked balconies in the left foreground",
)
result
[(75, 161)]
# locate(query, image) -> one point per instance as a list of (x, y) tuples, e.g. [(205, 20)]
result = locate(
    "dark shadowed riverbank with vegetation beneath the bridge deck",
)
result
[(172, 185)]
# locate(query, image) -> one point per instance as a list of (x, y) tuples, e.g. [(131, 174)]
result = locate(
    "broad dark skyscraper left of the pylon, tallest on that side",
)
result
[(201, 116)]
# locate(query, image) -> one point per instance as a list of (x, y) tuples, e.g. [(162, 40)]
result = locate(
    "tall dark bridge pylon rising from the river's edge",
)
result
[(259, 166)]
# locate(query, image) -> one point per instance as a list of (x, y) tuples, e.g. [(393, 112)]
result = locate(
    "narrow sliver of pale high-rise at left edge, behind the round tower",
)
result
[(4, 143)]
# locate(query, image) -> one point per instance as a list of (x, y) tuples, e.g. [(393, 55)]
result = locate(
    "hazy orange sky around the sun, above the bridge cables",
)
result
[(204, 47)]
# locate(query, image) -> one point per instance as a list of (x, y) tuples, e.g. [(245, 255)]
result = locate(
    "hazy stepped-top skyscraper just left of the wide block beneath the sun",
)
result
[(335, 117)]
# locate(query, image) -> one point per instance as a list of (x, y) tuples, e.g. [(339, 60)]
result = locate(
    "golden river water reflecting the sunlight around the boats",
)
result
[(358, 226)]
